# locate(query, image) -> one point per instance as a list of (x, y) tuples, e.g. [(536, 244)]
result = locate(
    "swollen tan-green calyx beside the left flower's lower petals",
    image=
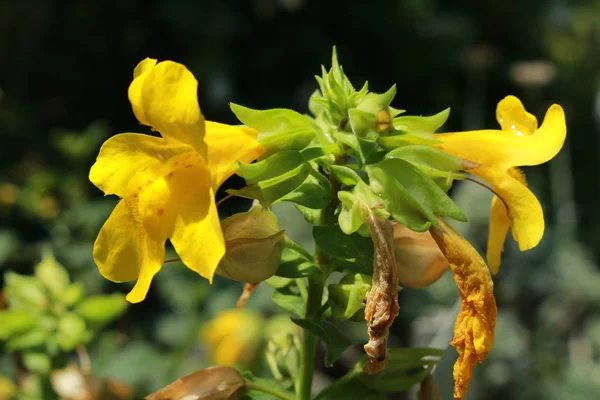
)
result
[(253, 244)]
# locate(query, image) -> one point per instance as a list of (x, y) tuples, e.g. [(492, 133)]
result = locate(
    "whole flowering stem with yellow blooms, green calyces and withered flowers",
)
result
[(373, 183)]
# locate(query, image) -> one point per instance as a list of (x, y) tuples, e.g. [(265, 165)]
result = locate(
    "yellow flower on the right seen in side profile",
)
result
[(519, 143)]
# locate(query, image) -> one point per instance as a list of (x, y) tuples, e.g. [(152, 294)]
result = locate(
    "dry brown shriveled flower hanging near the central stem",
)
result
[(382, 300)]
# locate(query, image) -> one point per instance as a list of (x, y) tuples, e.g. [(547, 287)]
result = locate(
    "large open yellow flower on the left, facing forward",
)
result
[(166, 184)]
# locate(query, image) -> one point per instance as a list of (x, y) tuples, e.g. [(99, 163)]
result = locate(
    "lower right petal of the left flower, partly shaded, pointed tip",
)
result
[(197, 235)]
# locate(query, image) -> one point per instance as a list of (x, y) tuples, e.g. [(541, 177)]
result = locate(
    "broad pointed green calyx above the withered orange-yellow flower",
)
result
[(412, 198)]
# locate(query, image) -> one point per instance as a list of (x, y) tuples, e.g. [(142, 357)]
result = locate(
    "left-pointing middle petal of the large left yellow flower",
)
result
[(124, 155)]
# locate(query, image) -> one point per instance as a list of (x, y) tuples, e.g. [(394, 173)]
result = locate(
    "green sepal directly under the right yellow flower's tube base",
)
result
[(442, 167)]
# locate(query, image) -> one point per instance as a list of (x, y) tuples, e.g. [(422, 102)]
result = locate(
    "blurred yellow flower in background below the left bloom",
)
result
[(234, 336)]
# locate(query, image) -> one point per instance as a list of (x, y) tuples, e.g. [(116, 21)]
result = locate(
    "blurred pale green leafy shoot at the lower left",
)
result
[(48, 317)]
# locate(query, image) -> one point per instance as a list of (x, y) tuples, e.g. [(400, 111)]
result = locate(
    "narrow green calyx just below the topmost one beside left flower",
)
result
[(275, 165)]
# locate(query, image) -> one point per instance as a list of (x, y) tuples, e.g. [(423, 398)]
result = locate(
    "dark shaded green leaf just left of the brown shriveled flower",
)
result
[(353, 248)]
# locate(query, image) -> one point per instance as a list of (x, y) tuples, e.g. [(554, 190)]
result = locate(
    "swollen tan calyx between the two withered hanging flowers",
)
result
[(419, 260)]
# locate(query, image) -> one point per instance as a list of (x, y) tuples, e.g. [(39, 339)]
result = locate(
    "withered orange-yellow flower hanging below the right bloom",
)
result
[(476, 321)]
